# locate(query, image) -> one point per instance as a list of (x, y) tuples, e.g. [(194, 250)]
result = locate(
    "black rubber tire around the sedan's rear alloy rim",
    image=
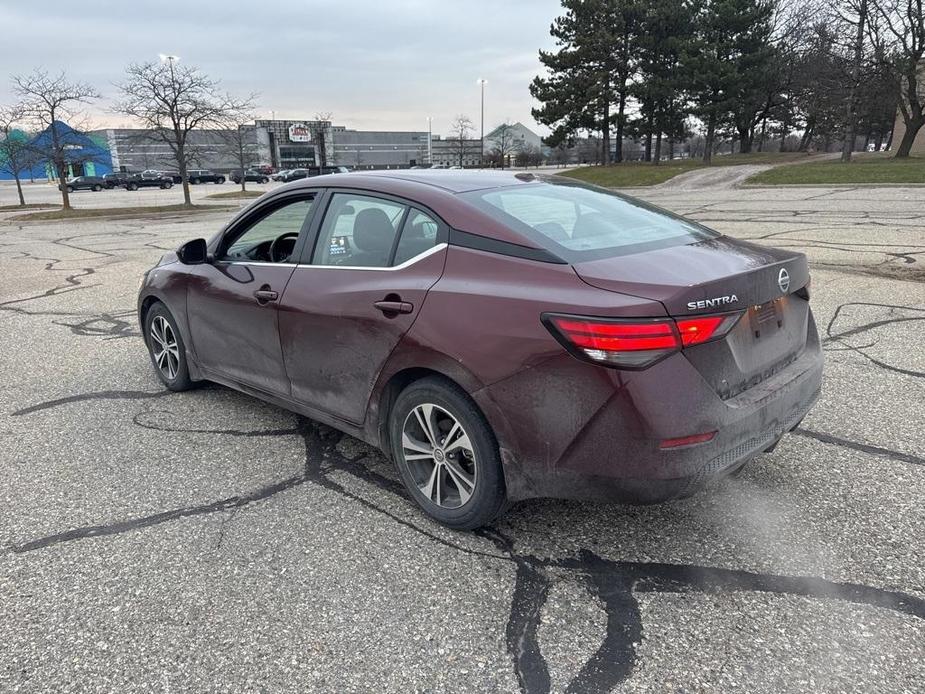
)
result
[(488, 495)]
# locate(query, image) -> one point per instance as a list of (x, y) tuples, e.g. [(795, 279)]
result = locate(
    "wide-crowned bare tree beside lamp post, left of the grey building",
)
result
[(172, 101)]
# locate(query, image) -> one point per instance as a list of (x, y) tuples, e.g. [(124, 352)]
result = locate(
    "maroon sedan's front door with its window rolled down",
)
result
[(232, 302)]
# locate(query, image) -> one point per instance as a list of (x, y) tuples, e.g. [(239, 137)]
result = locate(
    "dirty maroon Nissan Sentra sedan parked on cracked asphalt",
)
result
[(500, 336)]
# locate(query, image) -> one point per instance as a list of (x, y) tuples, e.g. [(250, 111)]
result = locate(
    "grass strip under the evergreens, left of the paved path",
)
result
[(639, 173)]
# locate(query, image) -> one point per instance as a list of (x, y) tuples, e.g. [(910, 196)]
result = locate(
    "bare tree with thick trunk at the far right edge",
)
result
[(903, 22)]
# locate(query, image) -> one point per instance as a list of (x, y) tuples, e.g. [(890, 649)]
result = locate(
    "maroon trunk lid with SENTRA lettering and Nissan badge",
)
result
[(721, 275)]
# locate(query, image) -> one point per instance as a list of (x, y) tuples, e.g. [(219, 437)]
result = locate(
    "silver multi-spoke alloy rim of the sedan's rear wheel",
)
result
[(438, 453)]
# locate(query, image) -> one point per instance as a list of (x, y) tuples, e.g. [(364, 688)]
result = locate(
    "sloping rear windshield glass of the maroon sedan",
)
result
[(580, 222)]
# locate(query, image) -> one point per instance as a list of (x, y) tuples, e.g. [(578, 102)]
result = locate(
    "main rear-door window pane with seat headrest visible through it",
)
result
[(358, 231)]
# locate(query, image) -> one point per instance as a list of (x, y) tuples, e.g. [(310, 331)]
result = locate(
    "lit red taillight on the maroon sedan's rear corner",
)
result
[(634, 343)]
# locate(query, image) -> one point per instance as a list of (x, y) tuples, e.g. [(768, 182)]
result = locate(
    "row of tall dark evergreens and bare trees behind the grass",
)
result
[(739, 70)]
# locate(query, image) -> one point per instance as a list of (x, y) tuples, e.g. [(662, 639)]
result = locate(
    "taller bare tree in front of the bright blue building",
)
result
[(47, 101)]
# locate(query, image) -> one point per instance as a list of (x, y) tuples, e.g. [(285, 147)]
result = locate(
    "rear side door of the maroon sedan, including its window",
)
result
[(355, 294)]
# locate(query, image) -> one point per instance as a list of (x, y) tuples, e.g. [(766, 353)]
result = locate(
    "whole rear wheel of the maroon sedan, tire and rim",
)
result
[(446, 454)]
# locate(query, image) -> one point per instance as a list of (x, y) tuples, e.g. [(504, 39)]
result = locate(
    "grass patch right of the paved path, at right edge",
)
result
[(865, 168)]
